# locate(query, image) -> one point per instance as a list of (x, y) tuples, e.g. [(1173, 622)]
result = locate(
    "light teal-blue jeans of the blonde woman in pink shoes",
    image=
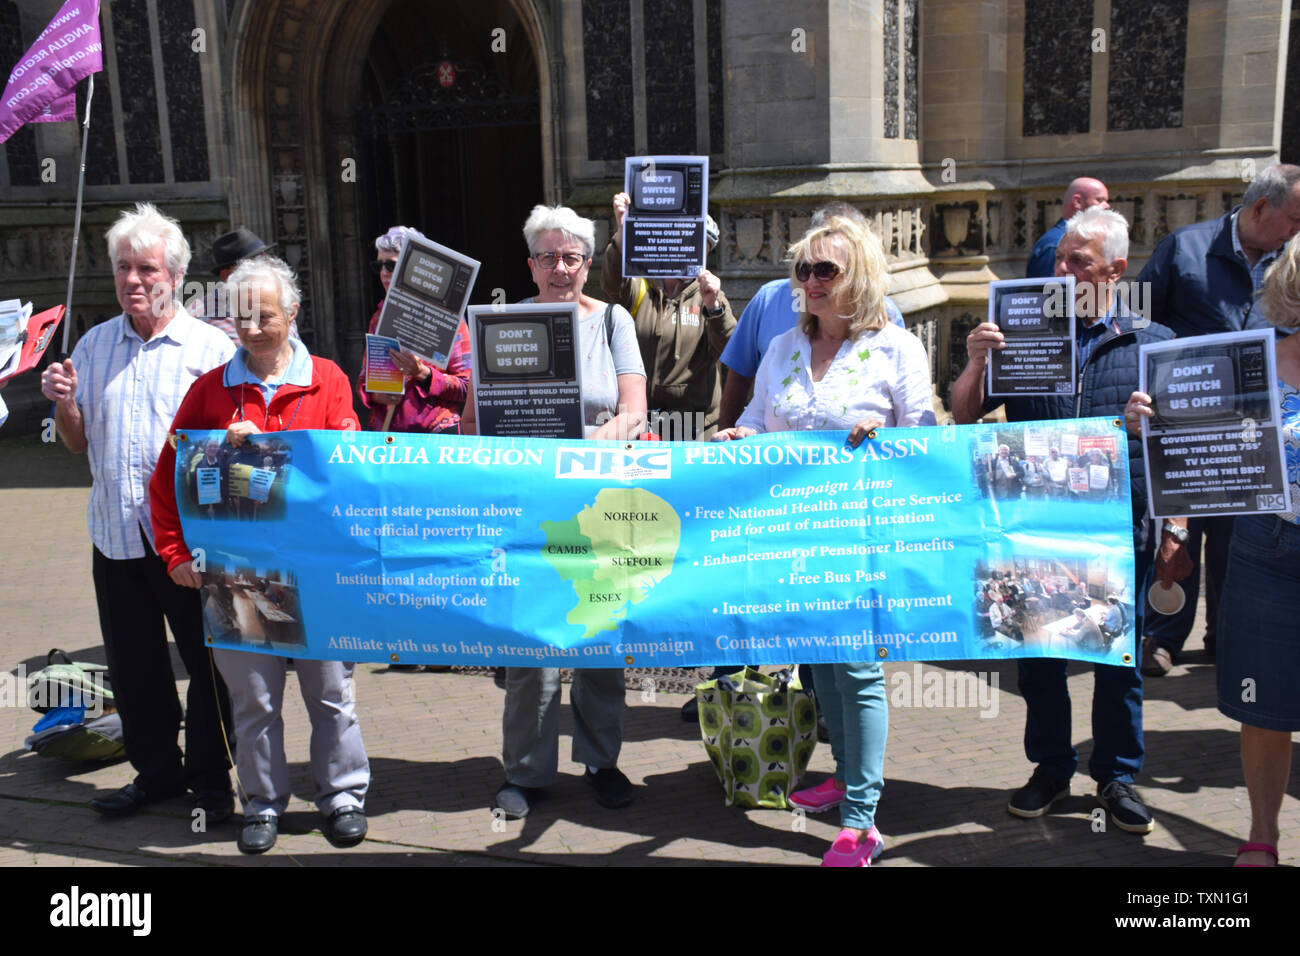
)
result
[(857, 715)]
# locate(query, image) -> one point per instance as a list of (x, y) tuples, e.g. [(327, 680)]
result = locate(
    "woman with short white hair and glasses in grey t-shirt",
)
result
[(614, 406)]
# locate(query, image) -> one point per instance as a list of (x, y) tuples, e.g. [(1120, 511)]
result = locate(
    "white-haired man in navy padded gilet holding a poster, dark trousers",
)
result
[(1095, 252)]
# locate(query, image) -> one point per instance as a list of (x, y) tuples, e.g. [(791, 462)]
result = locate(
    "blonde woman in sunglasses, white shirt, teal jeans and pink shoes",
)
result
[(844, 366)]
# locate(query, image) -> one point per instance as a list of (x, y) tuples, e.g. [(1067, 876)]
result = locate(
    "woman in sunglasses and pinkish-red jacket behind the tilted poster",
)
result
[(434, 399)]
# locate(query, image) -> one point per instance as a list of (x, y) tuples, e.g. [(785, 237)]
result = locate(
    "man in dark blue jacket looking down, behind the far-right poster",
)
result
[(1202, 280)]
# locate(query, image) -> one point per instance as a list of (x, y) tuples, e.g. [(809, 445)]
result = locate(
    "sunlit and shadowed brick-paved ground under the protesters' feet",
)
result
[(435, 745)]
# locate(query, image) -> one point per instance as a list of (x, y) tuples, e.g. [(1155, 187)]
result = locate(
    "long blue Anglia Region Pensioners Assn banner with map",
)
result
[(956, 543)]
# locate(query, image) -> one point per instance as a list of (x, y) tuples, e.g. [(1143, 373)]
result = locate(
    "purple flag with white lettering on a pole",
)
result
[(42, 83)]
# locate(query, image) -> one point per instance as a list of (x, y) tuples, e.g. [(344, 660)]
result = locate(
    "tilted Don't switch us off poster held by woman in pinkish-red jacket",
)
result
[(427, 299)]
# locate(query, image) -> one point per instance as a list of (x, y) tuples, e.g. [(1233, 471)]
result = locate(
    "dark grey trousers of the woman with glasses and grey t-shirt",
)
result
[(531, 725)]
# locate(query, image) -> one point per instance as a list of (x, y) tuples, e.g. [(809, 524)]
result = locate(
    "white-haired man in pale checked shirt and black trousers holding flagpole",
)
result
[(115, 399)]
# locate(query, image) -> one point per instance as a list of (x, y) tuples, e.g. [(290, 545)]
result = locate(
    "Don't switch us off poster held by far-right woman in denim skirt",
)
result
[(1214, 442)]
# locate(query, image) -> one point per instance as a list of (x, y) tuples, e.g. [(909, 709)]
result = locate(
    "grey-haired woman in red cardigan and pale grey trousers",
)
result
[(272, 384)]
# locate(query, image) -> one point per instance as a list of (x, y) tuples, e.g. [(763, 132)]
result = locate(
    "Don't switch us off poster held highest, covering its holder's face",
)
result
[(664, 233)]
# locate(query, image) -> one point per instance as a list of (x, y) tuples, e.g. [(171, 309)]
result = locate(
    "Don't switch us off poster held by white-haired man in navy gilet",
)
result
[(1037, 321)]
